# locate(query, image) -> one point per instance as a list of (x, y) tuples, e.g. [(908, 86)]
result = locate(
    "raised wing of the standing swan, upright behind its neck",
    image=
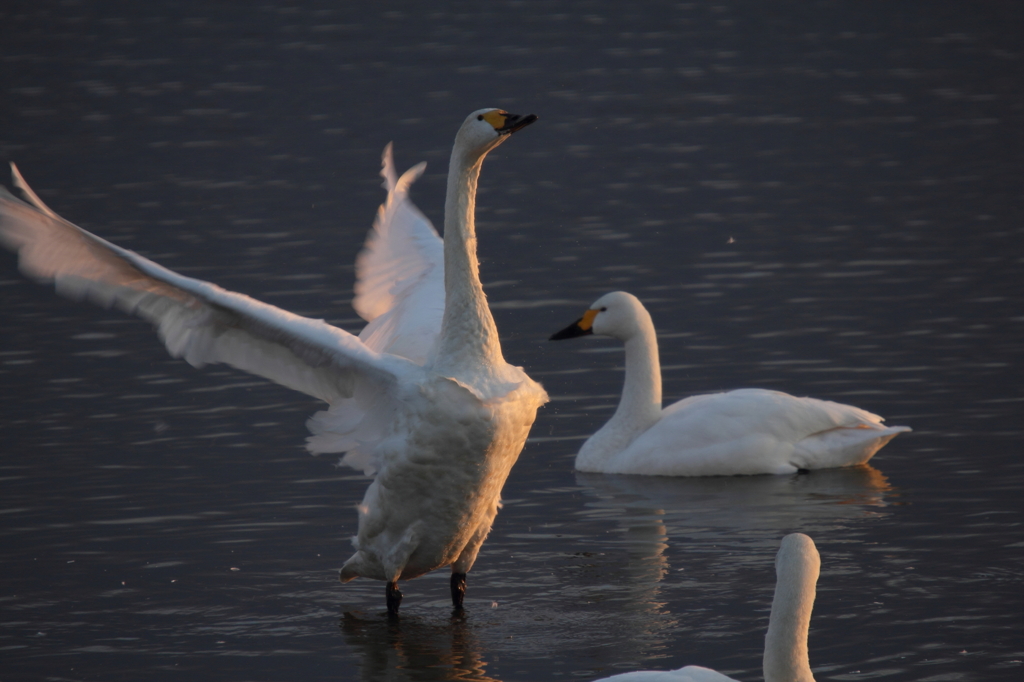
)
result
[(400, 288)]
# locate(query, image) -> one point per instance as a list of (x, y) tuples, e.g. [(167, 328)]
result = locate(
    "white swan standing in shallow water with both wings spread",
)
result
[(433, 409)]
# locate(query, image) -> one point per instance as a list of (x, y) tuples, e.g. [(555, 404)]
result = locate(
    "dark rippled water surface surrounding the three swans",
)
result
[(820, 198)]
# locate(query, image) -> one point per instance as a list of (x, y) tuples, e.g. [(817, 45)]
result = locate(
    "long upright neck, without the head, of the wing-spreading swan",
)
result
[(468, 342)]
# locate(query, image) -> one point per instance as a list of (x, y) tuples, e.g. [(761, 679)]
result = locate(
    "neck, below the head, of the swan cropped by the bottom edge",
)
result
[(786, 645)]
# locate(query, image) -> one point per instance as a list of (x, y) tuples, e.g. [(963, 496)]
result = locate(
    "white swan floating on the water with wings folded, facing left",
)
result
[(746, 432)]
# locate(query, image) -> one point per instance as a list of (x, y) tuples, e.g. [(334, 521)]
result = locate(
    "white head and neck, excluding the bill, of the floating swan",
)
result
[(621, 316)]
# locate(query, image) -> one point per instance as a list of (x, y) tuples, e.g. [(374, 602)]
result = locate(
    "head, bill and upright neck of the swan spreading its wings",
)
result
[(470, 347)]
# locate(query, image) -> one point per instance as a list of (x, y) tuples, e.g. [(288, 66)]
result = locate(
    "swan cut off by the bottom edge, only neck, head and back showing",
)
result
[(797, 567)]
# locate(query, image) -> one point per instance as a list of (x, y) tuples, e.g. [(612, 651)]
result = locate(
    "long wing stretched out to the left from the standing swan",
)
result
[(203, 323)]
